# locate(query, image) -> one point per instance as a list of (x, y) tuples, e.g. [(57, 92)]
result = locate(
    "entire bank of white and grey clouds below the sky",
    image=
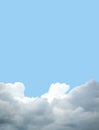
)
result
[(58, 109)]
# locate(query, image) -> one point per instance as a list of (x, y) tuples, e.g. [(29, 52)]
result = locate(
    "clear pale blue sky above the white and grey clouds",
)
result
[(43, 42)]
